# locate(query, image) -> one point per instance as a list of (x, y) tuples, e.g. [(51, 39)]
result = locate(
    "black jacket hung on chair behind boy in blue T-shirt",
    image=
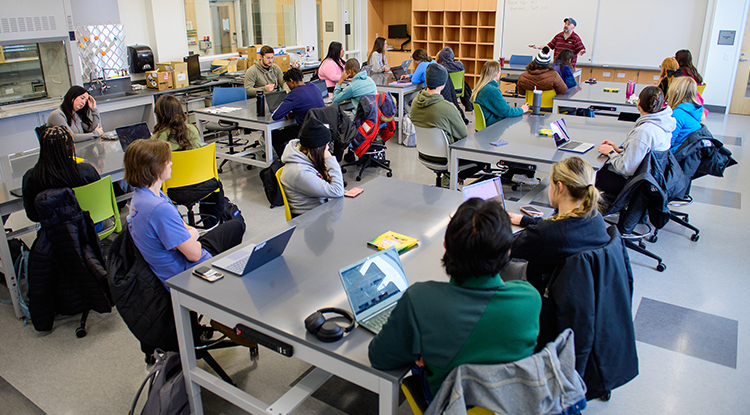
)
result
[(141, 299)]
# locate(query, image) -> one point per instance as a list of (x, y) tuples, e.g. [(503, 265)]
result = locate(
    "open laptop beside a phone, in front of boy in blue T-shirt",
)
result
[(254, 256)]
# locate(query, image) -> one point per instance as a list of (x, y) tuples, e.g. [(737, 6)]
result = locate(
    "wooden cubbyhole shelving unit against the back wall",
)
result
[(467, 26)]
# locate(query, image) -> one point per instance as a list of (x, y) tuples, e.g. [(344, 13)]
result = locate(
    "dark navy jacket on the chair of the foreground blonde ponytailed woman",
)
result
[(592, 293)]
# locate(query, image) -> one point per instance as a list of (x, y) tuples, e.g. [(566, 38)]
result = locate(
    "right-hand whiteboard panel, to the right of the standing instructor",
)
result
[(653, 30)]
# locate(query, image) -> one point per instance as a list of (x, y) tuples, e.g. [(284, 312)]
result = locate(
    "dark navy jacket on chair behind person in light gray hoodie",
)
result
[(647, 193)]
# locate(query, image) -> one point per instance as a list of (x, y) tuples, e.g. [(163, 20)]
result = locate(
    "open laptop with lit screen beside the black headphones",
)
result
[(373, 286)]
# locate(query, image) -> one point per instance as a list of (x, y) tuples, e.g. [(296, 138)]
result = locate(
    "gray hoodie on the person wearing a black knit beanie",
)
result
[(304, 188)]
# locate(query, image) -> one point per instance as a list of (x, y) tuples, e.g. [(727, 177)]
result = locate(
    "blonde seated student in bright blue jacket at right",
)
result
[(686, 110)]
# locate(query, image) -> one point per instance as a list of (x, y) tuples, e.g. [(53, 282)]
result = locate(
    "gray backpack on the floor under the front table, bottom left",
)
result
[(167, 394)]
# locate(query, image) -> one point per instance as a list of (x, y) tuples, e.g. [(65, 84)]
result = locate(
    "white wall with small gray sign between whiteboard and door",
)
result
[(719, 62)]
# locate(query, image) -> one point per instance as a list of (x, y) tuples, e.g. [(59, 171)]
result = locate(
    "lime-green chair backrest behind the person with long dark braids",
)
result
[(98, 199)]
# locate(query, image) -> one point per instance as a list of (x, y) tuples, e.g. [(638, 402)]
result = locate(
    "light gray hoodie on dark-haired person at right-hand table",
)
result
[(652, 132)]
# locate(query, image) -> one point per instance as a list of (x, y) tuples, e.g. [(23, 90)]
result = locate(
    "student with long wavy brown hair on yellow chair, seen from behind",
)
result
[(172, 126)]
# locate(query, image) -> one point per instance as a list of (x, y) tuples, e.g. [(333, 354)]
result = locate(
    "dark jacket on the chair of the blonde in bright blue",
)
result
[(702, 154)]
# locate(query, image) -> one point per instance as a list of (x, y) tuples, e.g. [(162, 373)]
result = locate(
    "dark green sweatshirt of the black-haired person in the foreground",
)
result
[(483, 321)]
